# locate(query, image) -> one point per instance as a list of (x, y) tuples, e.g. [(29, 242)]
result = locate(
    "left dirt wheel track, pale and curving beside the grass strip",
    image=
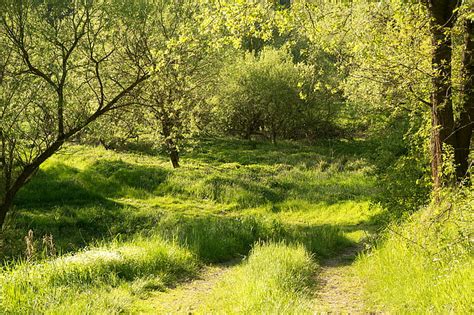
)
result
[(186, 298)]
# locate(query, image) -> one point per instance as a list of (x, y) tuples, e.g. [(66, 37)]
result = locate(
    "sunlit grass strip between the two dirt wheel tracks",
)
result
[(276, 279)]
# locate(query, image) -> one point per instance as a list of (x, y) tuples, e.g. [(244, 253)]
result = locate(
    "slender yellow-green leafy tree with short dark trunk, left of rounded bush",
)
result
[(181, 52)]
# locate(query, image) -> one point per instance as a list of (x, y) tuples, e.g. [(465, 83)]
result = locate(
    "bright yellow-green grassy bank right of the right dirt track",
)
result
[(425, 264)]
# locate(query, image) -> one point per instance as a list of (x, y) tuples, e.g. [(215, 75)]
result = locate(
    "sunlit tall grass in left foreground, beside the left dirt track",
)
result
[(49, 285)]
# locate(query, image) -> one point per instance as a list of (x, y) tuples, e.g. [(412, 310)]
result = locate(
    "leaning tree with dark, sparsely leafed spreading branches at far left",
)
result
[(56, 48)]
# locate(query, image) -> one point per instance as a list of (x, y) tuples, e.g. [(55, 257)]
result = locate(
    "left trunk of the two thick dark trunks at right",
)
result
[(443, 17)]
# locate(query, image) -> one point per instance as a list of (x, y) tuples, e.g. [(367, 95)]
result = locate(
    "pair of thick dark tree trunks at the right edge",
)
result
[(446, 129)]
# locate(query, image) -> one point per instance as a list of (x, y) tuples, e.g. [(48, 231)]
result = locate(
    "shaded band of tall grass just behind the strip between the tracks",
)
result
[(220, 238)]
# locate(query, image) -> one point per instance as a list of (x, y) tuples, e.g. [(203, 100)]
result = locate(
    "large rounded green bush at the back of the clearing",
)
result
[(269, 95)]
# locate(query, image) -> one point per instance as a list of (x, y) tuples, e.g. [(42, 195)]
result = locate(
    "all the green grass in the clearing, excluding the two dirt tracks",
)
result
[(111, 229)]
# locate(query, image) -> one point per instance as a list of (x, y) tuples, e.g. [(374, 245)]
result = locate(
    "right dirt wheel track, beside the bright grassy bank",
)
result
[(338, 288)]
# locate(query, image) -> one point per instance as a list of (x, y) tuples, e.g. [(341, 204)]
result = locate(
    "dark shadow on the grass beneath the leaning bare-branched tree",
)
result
[(73, 205)]
